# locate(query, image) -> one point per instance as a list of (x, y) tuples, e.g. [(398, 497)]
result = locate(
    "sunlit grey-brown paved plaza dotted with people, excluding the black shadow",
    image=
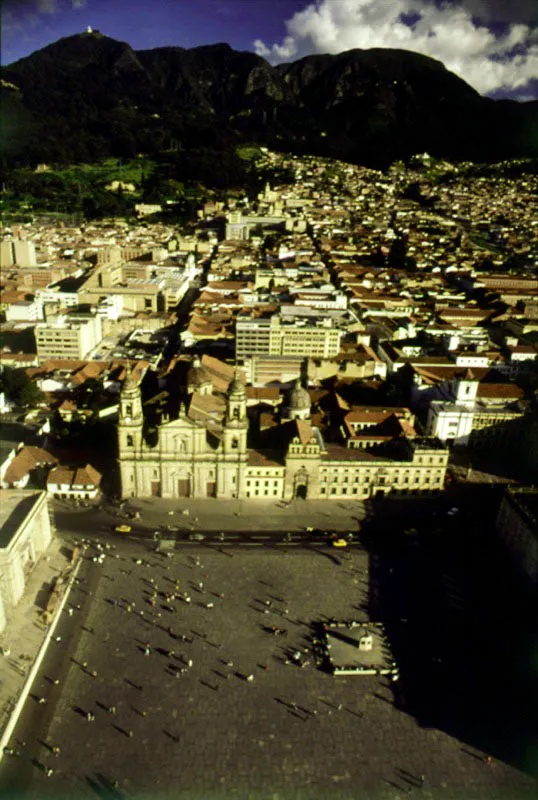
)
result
[(205, 703)]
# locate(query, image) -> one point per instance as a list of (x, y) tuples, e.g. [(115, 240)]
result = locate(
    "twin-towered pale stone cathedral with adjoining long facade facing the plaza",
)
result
[(209, 446)]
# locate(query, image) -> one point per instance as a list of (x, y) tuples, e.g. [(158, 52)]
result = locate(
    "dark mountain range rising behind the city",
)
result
[(88, 96)]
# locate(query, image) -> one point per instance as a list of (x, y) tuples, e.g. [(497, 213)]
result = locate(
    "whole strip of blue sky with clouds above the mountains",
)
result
[(491, 44)]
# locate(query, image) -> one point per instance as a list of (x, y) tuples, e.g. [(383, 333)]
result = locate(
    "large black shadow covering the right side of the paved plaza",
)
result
[(461, 629)]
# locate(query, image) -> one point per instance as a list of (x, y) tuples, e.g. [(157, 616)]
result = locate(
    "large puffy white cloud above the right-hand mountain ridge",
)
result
[(447, 31)]
